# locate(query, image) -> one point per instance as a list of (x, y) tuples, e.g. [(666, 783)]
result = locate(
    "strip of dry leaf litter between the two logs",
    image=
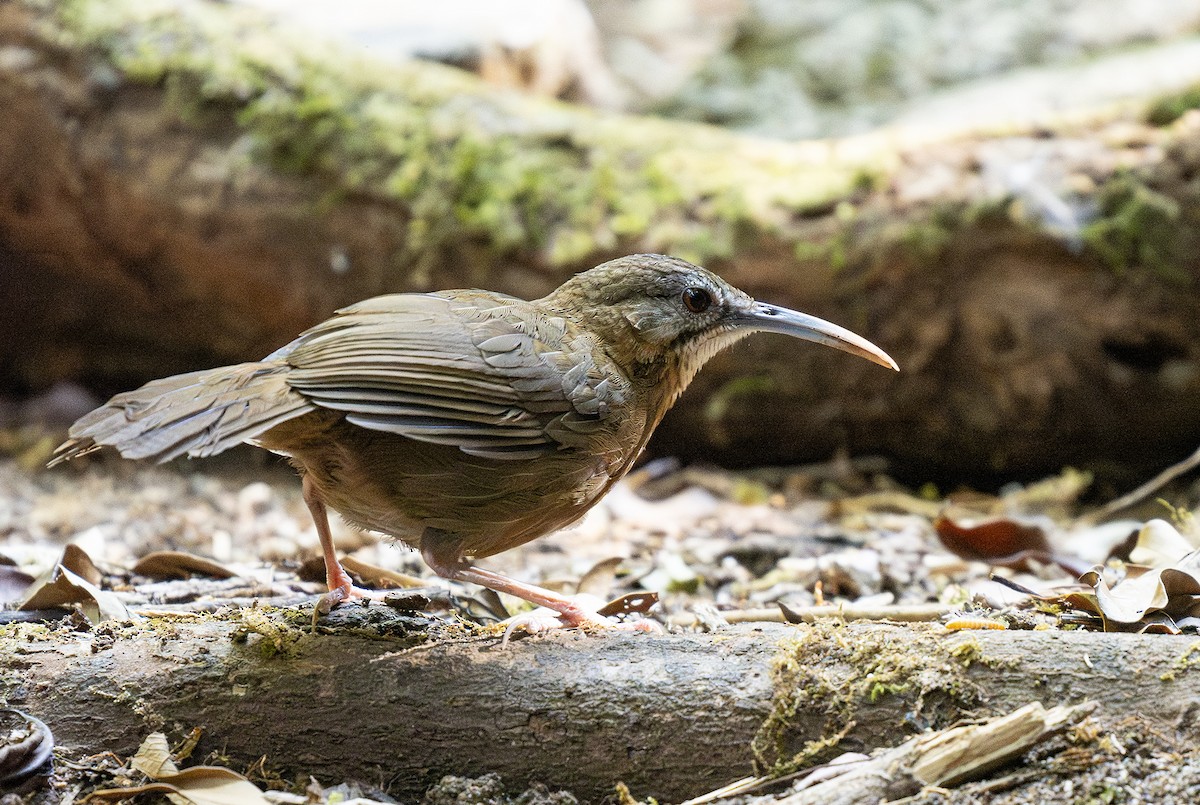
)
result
[(719, 548)]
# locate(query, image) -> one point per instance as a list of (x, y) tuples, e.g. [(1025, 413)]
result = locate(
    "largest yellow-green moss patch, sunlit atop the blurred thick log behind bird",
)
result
[(463, 163)]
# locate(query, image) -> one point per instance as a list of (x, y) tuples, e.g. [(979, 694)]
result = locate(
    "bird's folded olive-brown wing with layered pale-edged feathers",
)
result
[(467, 369)]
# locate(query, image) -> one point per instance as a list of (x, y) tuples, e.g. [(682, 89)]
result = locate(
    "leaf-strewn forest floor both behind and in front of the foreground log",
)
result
[(718, 546)]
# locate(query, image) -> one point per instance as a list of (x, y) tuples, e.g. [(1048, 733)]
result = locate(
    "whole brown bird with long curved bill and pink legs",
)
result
[(463, 423)]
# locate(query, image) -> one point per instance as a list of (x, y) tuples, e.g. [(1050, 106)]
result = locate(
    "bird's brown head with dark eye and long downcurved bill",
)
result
[(656, 310)]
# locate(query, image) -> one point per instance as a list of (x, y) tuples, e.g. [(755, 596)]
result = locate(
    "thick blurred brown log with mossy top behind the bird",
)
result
[(183, 187)]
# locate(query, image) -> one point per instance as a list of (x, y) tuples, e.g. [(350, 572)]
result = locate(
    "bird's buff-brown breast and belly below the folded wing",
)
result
[(391, 484)]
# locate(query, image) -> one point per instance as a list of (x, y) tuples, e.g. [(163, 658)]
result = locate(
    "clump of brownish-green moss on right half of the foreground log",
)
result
[(833, 671)]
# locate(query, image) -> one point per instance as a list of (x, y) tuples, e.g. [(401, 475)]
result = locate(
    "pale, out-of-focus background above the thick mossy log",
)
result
[(794, 70)]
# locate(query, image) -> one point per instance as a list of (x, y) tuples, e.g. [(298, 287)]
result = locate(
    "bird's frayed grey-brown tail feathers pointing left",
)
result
[(199, 414)]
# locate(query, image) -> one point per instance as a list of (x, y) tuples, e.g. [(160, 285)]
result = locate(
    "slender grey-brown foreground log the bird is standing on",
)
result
[(673, 716)]
